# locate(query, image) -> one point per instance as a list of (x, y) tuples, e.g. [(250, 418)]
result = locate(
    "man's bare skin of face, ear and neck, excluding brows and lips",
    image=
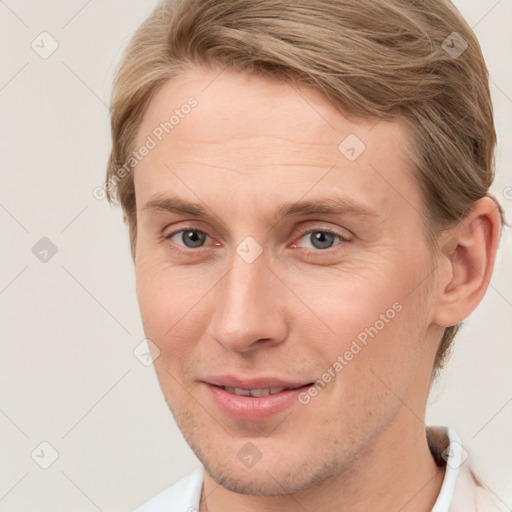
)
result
[(250, 145)]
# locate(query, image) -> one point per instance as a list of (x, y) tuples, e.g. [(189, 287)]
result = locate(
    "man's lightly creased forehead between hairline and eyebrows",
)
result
[(259, 135)]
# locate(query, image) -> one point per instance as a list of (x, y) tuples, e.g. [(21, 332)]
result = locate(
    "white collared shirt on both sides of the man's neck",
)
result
[(460, 490)]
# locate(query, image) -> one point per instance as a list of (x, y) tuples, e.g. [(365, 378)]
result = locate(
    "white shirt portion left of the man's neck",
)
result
[(183, 496)]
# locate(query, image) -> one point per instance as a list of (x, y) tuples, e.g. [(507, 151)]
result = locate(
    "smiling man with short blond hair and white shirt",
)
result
[(306, 186)]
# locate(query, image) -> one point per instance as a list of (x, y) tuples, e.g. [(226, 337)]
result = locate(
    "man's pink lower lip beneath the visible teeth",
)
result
[(249, 408)]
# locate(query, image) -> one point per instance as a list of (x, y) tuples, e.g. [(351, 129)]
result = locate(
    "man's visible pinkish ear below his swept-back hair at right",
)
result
[(467, 261)]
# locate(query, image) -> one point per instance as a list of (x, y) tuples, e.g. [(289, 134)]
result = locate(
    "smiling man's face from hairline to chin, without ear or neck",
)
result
[(276, 253)]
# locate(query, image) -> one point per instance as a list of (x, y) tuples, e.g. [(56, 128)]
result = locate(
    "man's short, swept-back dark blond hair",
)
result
[(414, 59)]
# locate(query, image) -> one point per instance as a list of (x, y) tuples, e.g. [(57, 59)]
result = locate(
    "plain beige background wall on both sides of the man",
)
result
[(69, 325)]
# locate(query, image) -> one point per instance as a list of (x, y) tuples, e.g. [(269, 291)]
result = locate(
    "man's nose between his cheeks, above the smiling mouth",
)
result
[(250, 307)]
